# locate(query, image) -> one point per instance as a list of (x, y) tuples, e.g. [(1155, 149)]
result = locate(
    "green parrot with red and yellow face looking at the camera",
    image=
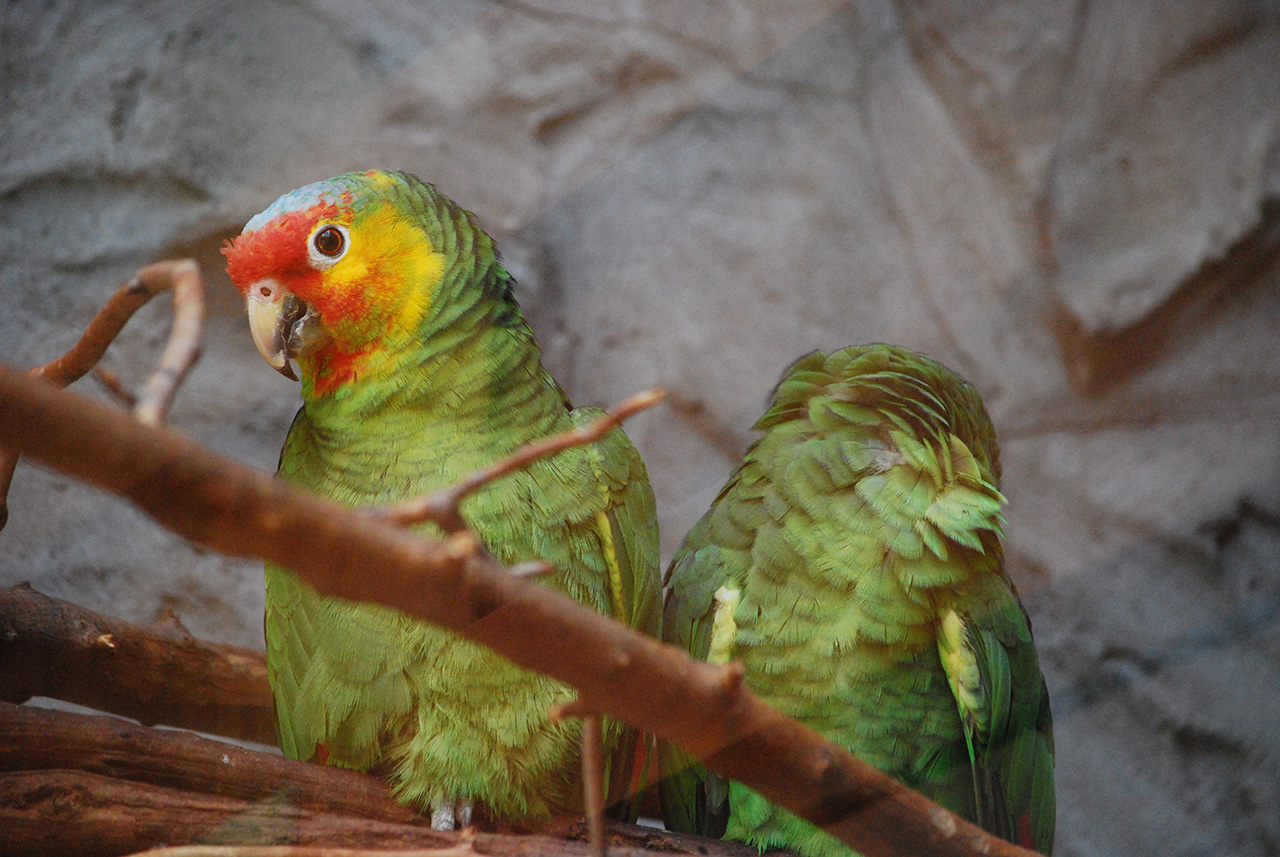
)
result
[(418, 369)]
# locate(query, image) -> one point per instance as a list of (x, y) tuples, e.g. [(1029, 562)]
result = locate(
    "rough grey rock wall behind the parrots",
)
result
[(1076, 205)]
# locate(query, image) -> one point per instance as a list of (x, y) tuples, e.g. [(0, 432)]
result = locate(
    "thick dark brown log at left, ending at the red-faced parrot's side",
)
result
[(156, 673)]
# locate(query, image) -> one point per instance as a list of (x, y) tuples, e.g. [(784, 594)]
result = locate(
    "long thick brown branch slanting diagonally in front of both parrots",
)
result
[(619, 672)]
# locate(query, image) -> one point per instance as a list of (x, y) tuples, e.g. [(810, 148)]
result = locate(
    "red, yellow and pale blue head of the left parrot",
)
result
[(342, 276)]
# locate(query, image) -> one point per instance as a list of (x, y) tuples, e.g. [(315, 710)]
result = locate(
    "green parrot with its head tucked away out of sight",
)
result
[(853, 563)]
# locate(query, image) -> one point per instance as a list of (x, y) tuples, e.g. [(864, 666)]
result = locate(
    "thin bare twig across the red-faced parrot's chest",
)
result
[(442, 507)]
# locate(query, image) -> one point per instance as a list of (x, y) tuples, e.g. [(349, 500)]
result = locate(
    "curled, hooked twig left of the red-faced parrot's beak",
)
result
[(182, 277)]
